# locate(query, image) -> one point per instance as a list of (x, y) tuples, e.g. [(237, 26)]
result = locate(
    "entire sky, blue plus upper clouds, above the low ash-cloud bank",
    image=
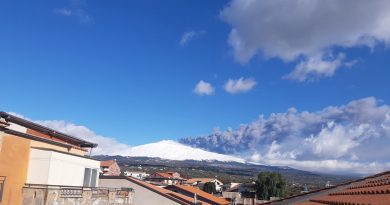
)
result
[(138, 72)]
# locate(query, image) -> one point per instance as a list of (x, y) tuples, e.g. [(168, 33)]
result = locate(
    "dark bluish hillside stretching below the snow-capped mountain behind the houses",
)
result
[(225, 171)]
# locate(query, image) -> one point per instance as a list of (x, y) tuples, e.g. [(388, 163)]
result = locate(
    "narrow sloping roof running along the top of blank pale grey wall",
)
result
[(179, 198)]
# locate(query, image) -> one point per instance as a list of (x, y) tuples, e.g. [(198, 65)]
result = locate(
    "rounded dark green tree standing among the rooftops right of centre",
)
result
[(270, 184)]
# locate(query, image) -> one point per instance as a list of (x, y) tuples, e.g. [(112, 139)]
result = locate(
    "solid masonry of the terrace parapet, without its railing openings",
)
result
[(52, 196)]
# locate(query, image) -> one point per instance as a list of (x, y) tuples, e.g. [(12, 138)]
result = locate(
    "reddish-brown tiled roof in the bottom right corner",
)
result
[(371, 190)]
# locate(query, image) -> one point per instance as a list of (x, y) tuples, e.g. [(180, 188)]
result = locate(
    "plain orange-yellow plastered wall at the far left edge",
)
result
[(14, 156)]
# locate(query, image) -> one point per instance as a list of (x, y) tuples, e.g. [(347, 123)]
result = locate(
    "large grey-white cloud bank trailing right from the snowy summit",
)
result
[(351, 138)]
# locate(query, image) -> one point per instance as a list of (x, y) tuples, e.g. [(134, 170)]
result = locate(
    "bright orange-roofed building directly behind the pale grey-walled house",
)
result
[(191, 191)]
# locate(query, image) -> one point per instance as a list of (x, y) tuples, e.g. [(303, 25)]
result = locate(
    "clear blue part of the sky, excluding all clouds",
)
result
[(119, 69)]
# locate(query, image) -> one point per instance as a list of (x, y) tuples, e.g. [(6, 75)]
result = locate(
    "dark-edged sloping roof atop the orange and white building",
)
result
[(46, 130)]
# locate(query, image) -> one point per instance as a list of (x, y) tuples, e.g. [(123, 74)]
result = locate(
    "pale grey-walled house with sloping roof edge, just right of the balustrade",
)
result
[(149, 194)]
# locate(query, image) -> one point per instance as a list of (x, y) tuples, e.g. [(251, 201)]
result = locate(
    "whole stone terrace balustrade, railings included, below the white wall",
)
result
[(51, 195)]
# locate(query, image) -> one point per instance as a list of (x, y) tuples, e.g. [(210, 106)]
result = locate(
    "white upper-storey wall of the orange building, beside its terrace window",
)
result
[(54, 168)]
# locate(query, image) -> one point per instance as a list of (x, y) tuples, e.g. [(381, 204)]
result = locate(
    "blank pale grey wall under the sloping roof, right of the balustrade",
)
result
[(143, 196)]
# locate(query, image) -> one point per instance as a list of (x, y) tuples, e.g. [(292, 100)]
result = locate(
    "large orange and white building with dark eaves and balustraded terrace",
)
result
[(37, 162)]
